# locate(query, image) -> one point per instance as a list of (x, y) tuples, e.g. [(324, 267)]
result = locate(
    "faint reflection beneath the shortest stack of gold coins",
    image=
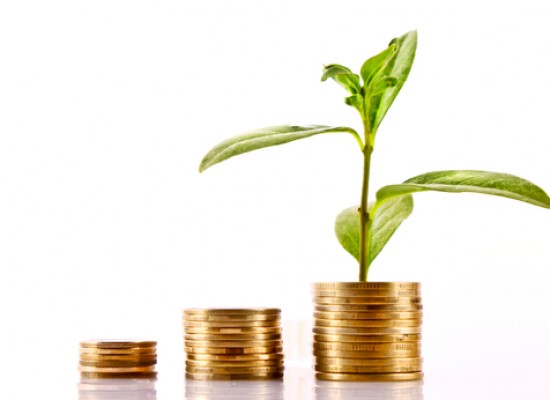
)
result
[(117, 389)]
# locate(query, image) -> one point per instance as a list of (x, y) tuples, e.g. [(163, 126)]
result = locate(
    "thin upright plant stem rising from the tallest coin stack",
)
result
[(364, 217)]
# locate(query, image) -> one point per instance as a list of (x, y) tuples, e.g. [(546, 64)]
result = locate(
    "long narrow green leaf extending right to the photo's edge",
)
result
[(494, 183)]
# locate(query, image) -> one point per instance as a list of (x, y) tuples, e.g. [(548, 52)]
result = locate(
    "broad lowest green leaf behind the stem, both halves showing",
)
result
[(385, 221)]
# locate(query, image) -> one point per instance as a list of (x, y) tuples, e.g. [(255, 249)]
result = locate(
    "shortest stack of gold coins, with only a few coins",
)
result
[(118, 359)]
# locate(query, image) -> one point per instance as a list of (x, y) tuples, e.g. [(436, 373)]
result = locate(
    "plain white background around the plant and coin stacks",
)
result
[(108, 230)]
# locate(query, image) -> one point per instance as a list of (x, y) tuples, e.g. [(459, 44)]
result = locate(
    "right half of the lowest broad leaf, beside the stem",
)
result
[(385, 220)]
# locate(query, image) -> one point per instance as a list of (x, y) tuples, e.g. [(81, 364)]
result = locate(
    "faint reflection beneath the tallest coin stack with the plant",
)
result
[(326, 390)]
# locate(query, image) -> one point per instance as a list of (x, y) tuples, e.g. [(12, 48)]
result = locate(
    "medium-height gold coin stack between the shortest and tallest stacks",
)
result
[(231, 344)]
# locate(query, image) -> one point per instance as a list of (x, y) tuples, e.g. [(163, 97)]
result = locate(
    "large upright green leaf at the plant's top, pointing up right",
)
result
[(398, 66)]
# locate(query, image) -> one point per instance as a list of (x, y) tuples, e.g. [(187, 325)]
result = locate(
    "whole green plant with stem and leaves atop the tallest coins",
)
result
[(364, 230)]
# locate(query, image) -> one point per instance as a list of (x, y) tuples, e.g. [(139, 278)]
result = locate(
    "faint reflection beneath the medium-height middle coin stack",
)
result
[(217, 390)]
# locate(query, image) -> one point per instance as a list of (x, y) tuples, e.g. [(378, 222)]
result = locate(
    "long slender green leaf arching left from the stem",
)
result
[(266, 137)]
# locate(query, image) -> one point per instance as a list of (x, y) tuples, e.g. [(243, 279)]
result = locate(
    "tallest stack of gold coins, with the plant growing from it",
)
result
[(367, 331)]
